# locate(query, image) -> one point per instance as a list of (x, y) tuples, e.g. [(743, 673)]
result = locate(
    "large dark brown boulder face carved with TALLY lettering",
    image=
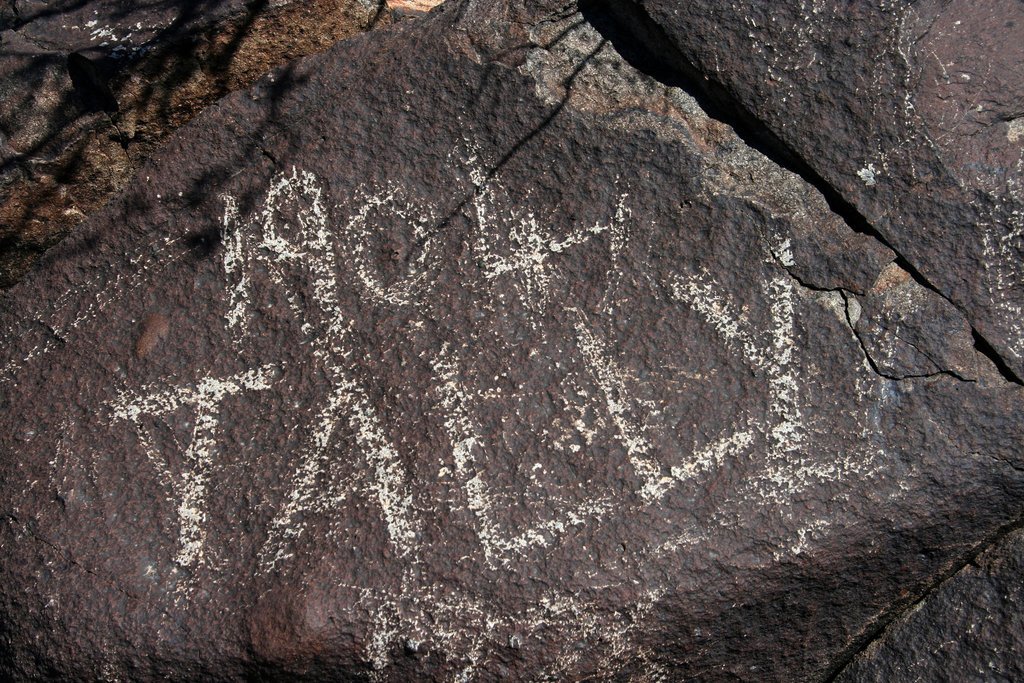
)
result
[(520, 368)]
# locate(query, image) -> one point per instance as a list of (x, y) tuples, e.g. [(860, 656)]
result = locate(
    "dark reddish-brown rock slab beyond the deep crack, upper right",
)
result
[(911, 111)]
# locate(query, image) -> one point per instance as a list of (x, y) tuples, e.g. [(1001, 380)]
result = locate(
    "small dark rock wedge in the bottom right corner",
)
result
[(971, 629)]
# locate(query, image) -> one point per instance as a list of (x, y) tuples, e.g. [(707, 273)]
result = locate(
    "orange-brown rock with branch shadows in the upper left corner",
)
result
[(90, 90)]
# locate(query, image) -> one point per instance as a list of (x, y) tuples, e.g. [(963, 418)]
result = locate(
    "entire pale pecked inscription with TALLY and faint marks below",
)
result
[(300, 248)]
